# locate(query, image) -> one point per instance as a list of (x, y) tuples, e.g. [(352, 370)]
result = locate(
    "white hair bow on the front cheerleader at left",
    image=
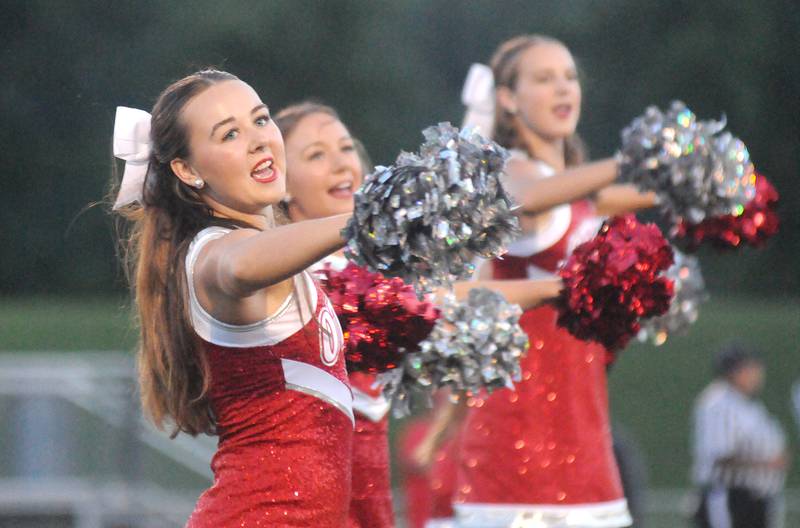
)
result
[(132, 144)]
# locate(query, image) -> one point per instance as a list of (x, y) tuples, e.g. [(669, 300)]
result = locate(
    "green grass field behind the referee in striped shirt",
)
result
[(653, 388)]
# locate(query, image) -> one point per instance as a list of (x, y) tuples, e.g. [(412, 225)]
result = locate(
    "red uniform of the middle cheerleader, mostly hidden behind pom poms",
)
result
[(371, 501)]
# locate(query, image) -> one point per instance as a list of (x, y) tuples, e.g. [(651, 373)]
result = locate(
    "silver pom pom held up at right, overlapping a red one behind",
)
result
[(694, 171)]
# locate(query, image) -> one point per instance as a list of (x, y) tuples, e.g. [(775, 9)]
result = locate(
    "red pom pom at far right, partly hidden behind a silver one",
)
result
[(757, 223)]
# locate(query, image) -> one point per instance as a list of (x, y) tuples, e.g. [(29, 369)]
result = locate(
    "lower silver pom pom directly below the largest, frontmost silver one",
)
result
[(474, 345)]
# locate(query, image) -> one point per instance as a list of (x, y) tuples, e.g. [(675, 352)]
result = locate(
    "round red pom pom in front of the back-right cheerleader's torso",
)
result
[(613, 280)]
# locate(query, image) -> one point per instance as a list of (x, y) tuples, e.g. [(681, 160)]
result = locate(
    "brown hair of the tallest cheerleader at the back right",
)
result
[(505, 67)]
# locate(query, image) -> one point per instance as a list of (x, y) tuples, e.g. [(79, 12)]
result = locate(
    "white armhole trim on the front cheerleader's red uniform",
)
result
[(287, 320)]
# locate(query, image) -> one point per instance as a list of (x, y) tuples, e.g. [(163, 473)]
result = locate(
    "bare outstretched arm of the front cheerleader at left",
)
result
[(246, 261)]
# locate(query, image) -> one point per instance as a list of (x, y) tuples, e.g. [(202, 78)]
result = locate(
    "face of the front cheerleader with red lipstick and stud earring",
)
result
[(234, 148)]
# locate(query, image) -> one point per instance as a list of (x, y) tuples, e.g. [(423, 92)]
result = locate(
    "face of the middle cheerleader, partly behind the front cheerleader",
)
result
[(324, 167)]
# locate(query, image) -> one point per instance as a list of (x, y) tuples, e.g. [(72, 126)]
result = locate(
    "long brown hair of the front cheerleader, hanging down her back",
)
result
[(174, 375)]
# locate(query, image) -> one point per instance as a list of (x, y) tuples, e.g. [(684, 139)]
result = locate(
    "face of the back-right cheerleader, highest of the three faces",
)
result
[(546, 97)]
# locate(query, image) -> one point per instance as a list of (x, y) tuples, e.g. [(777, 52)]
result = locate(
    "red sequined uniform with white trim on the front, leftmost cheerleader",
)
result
[(284, 413)]
